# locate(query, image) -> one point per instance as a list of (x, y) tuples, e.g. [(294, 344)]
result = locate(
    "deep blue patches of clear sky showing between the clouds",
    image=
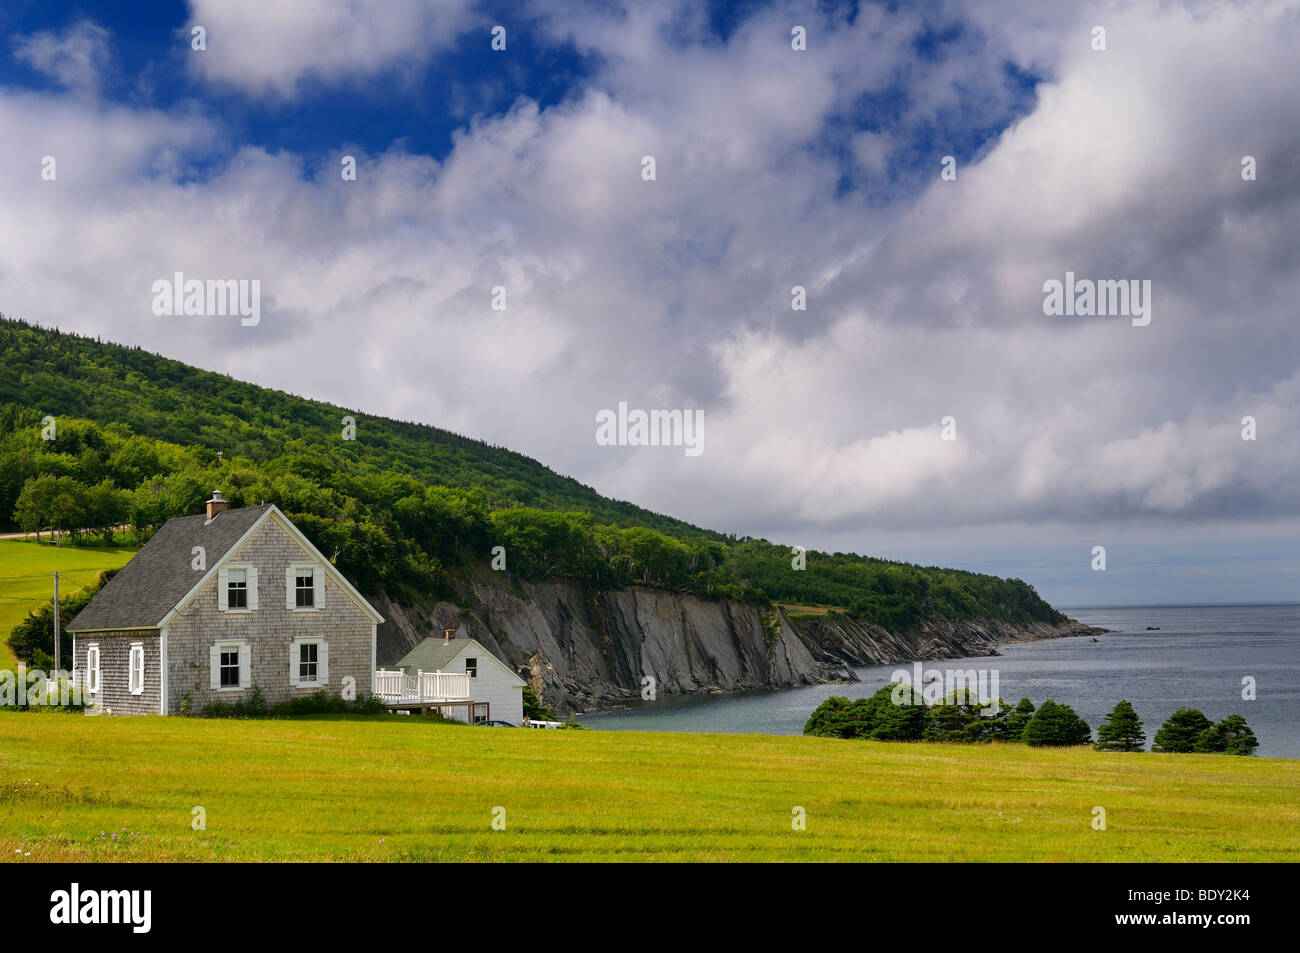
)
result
[(419, 111)]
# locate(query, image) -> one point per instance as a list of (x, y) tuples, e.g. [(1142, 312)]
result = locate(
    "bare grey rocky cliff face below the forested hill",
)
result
[(583, 649)]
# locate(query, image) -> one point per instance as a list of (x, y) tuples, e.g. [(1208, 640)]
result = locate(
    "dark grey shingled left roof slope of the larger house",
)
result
[(159, 577)]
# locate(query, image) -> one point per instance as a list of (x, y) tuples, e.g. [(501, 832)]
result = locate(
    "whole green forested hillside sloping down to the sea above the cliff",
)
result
[(408, 509)]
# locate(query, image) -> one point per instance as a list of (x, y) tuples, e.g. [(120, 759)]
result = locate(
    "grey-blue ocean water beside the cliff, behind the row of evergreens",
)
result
[(1198, 659)]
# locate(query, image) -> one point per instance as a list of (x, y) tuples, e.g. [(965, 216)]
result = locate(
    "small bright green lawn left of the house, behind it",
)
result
[(28, 579)]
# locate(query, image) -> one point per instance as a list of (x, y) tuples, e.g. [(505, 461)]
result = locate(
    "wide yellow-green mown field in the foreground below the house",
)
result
[(392, 789)]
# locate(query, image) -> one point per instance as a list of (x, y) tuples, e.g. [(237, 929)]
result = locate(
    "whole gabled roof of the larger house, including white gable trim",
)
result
[(159, 581)]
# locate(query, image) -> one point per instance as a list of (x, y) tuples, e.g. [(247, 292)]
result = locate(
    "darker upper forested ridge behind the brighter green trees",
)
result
[(174, 402)]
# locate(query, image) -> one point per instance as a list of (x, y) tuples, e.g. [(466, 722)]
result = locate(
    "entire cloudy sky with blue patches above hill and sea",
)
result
[(777, 168)]
